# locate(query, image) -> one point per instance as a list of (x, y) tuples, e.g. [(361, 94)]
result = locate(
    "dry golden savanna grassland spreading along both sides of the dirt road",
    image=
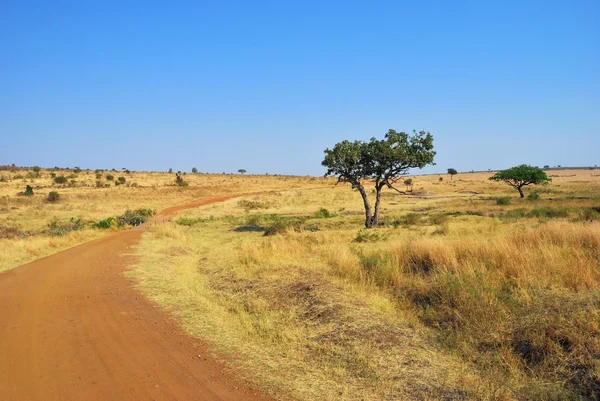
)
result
[(463, 292)]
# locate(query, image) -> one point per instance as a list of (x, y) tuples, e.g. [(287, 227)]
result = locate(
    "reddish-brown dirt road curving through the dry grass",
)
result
[(72, 327)]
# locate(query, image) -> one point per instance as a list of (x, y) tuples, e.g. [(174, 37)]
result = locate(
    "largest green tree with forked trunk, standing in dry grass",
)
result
[(385, 161)]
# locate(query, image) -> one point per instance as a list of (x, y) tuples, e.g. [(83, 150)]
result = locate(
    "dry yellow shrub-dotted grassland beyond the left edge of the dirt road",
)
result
[(35, 226)]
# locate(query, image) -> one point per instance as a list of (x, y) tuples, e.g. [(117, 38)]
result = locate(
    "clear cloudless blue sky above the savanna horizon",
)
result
[(267, 86)]
